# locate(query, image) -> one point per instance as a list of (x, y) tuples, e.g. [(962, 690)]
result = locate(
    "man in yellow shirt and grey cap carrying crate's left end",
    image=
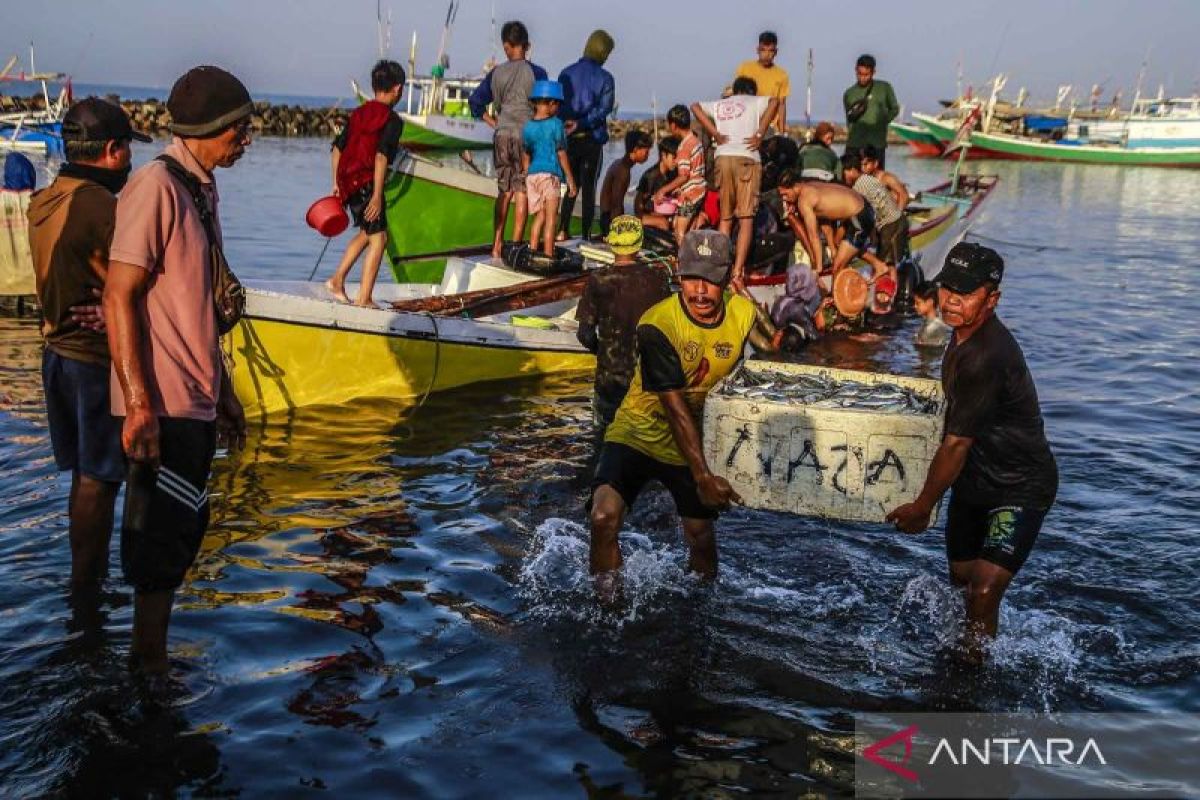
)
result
[(686, 345)]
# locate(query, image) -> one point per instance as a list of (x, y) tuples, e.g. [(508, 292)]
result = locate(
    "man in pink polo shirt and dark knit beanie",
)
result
[(176, 396)]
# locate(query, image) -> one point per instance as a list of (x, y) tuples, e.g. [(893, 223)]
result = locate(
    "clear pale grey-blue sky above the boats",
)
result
[(679, 52)]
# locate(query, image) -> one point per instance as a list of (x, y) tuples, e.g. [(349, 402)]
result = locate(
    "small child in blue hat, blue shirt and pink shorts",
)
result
[(545, 164)]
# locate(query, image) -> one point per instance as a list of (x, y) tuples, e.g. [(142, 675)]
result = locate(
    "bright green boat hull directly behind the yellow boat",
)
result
[(435, 209)]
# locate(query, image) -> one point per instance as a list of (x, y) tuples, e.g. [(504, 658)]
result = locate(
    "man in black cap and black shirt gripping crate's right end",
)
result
[(994, 453)]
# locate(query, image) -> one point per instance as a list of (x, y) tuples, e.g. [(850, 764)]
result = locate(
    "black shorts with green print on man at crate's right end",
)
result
[(1003, 536)]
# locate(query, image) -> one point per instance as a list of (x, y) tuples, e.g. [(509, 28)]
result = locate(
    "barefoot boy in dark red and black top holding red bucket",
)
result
[(361, 158)]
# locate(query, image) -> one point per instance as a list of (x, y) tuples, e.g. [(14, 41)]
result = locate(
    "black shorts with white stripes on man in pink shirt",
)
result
[(167, 510)]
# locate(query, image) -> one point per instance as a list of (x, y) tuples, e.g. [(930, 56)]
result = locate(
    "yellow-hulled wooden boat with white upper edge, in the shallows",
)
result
[(298, 347)]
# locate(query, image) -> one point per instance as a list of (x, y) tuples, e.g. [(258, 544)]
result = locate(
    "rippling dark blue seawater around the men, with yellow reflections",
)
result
[(397, 605)]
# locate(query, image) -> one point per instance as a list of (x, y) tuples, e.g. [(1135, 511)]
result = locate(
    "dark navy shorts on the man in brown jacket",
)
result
[(85, 435)]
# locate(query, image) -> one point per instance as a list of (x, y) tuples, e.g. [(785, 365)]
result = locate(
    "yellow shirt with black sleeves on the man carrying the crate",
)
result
[(675, 352)]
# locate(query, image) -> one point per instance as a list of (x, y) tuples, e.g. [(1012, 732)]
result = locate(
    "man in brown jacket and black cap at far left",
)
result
[(71, 228)]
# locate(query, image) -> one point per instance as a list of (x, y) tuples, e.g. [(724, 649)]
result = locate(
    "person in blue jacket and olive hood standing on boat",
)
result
[(589, 92)]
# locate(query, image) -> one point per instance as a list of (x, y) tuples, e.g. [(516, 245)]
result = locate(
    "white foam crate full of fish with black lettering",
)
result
[(838, 464)]
